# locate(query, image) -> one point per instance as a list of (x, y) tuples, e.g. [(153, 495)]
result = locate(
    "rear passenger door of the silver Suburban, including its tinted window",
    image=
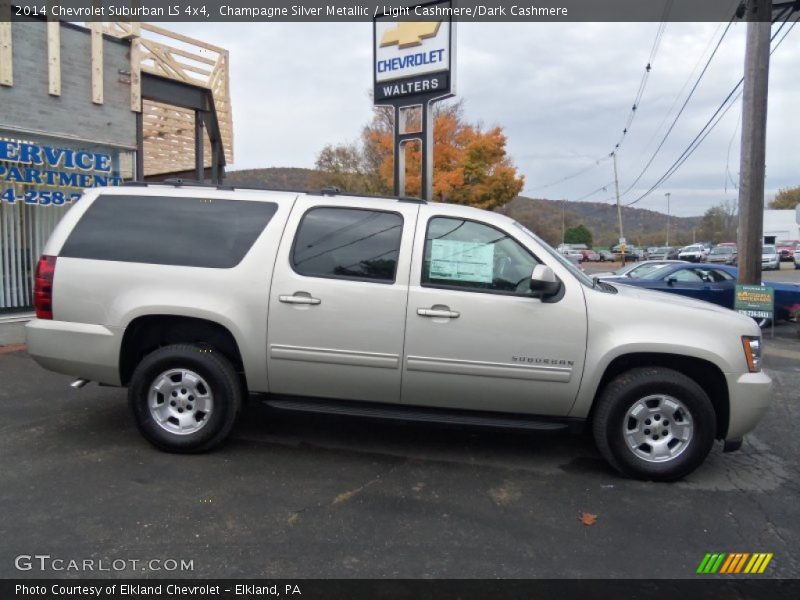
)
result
[(336, 318)]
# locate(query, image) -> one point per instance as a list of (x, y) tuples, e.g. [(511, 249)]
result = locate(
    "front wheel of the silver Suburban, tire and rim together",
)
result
[(654, 423)]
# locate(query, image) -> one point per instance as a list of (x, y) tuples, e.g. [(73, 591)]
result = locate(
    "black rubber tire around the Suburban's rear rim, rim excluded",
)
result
[(221, 378)]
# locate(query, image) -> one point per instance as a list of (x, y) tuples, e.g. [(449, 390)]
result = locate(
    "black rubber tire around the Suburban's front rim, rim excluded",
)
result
[(627, 389)]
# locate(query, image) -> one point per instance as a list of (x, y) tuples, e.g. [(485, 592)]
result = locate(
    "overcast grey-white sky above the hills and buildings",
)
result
[(562, 92)]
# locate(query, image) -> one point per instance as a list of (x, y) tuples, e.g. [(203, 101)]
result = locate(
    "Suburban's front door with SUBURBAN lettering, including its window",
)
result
[(505, 350)]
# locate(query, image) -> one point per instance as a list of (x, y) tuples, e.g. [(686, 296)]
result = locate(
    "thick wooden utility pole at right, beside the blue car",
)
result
[(754, 140)]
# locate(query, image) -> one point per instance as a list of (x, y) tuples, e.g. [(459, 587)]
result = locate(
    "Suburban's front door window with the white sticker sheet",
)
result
[(475, 257)]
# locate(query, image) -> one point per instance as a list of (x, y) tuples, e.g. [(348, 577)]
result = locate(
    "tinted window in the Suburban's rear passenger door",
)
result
[(348, 243)]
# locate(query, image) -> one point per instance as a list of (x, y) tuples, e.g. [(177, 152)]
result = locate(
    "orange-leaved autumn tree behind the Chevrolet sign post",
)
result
[(470, 163)]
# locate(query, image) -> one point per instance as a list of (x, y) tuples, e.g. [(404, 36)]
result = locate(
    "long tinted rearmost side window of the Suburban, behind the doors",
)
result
[(164, 230)]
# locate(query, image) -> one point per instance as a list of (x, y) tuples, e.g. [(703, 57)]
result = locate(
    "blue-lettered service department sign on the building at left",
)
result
[(31, 167)]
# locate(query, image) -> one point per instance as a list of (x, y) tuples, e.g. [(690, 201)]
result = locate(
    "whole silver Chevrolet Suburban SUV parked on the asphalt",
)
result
[(196, 298)]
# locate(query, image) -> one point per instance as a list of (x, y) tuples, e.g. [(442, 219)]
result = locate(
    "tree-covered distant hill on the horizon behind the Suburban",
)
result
[(642, 227)]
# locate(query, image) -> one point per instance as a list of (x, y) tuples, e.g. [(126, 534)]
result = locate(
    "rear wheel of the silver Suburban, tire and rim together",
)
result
[(185, 398)]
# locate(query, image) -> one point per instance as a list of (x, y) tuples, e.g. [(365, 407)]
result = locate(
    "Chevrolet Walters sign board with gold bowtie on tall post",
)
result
[(414, 58)]
